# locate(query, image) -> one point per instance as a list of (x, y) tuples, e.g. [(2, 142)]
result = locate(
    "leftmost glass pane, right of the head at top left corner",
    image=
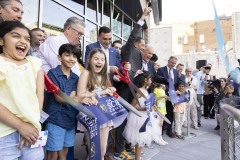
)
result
[(30, 16)]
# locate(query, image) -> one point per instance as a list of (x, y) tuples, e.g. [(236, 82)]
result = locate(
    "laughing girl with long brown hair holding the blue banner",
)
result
[(93, 83)]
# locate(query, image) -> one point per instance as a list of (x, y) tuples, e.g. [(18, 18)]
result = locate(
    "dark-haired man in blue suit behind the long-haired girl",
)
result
[(104, 42)]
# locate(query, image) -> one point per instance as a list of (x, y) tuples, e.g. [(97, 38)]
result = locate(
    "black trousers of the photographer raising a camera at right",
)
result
[(208, 101)]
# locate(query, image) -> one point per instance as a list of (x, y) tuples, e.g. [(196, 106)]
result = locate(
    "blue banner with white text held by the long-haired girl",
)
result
[(108, 109)]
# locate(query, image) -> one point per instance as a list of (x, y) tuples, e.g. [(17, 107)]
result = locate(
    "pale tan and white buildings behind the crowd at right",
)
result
[(197, 41)]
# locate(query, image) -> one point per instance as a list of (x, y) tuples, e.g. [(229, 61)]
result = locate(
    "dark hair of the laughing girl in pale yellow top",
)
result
[(8, 26)]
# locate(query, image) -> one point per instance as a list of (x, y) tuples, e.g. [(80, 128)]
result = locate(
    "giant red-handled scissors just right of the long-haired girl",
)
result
[(124, 76)]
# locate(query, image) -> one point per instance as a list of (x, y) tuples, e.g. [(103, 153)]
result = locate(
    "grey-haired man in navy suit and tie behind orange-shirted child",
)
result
[(166, 72)]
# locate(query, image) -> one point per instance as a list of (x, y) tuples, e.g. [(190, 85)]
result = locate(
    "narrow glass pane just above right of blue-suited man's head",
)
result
[(117, 22)]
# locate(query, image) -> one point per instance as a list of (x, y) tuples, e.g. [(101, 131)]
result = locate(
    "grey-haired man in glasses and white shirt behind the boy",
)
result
[(48, 51)]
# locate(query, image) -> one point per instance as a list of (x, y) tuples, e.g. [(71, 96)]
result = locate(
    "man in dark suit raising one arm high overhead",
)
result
[(131, 52)]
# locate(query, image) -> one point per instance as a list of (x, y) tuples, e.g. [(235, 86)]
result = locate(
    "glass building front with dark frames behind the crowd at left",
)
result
[(50, 15)]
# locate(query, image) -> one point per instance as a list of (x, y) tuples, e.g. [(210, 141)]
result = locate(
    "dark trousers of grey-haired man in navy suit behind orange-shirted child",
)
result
[(169, 115)]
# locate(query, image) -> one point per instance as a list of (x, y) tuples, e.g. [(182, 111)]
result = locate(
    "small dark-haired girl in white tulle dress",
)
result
[(134, 123)]
